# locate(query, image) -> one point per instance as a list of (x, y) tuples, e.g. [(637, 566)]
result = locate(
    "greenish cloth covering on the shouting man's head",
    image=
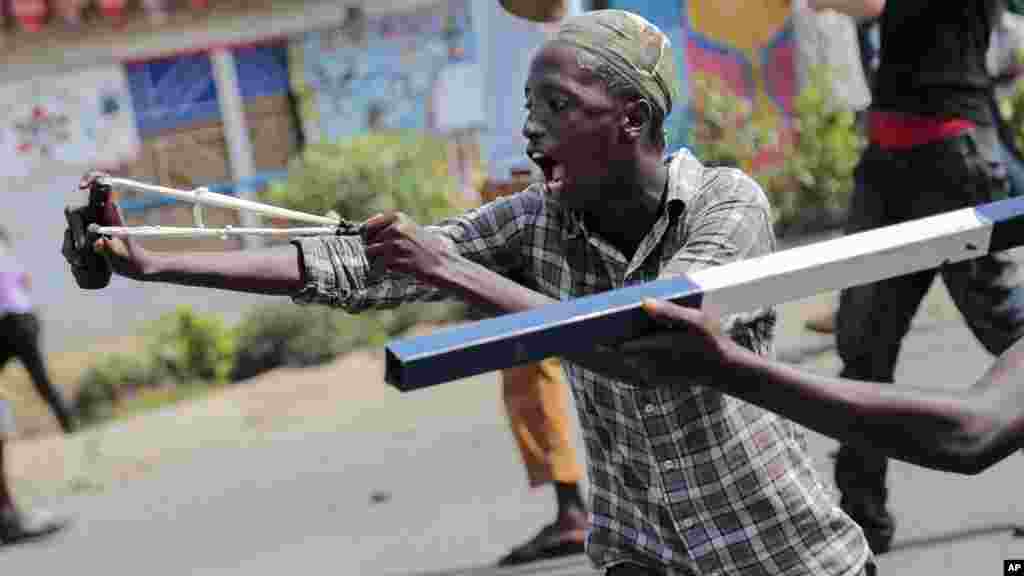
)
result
[(633, 47)]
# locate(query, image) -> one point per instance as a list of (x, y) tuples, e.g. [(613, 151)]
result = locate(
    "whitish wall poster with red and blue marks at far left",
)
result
[(80, 119)]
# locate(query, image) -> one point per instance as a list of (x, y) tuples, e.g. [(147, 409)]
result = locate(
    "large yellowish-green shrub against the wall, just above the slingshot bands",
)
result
[(370, 174)]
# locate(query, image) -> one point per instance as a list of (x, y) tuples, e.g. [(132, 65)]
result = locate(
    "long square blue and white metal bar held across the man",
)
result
[(576, 326)]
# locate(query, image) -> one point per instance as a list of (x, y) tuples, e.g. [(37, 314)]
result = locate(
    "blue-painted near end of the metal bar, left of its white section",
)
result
[(572, 326)]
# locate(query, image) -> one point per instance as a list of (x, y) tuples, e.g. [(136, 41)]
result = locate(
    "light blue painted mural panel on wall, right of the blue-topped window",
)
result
[(385, 71)]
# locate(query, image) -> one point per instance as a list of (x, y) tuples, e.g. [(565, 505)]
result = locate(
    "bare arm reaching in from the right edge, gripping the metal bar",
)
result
[(965, 432)]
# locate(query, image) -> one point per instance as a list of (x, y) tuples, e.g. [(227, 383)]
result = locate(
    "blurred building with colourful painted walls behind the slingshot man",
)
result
[(224, 93)]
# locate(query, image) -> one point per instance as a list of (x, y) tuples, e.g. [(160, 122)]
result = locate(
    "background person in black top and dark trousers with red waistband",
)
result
[(933, 147)]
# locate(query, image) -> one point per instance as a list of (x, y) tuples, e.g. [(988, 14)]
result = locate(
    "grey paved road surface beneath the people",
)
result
[(432, 481)]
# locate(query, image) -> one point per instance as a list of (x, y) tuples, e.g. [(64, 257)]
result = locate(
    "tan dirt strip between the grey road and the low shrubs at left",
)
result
[(286, 399)]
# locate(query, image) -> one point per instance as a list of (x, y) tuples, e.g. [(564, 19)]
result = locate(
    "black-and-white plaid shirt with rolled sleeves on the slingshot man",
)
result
[(682, 478)]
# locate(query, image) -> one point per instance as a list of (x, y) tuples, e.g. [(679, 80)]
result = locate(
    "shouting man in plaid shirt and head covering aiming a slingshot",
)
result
[(685, 480)]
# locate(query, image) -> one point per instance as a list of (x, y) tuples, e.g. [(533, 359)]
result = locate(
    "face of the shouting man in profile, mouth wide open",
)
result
[(573, 127)]
